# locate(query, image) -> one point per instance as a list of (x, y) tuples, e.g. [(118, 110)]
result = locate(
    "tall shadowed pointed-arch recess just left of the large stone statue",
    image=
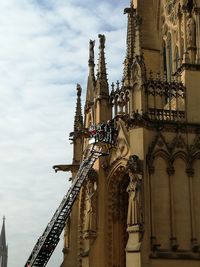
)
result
[(117, 206)]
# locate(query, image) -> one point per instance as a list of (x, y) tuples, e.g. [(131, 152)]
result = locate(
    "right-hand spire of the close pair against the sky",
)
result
[(102, 74)]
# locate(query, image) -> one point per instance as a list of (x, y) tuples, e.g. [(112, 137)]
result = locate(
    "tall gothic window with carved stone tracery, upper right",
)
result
[(182, 23)]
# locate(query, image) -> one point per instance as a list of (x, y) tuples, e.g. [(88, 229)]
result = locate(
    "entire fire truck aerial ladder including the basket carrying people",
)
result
[(101, 136)]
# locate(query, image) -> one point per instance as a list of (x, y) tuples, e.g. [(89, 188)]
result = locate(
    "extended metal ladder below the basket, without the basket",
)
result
[(46, 244)]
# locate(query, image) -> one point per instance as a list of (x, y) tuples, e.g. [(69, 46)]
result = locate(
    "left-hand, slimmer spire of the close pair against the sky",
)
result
[(91, 77)]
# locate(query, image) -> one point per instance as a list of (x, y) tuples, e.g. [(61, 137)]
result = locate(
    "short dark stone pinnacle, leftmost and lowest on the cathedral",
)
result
[(78, 119)]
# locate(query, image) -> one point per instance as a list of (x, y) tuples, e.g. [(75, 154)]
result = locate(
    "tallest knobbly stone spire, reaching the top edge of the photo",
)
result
[(130, 42)]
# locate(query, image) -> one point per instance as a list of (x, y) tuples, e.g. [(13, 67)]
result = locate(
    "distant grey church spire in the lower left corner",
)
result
[(3, 246)]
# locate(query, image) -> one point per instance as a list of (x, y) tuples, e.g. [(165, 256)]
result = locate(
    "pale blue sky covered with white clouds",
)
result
[(43, 54)]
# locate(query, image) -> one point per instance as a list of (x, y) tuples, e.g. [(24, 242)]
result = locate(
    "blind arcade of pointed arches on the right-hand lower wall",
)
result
[(179, 169)]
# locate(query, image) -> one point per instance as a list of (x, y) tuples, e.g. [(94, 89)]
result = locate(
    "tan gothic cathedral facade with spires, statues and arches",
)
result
[(140, 206)]
